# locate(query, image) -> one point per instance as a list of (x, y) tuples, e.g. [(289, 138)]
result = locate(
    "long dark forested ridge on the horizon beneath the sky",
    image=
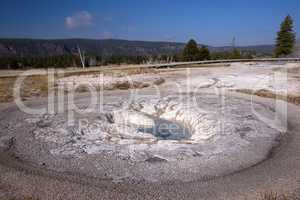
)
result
[(43, 48)]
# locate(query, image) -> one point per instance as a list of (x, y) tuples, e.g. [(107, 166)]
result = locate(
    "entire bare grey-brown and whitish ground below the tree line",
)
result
[(41, 158)]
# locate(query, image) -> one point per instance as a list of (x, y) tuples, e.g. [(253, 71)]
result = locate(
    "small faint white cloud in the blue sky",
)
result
[(79, 19)]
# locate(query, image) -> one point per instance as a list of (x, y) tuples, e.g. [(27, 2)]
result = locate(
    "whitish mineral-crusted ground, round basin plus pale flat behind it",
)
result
[(185, 128)]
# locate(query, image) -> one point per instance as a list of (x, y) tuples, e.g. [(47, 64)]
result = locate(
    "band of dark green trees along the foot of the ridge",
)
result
[(192, 52)]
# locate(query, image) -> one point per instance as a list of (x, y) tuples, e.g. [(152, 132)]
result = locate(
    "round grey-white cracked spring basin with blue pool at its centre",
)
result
[(174, 137)]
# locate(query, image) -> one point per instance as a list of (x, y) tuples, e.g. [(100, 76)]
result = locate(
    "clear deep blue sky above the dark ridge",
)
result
[(212, 22)]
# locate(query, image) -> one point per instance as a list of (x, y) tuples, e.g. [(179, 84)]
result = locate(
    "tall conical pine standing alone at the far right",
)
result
[(285, 41)]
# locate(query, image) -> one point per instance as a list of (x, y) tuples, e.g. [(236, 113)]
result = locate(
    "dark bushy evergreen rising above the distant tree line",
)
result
[(191, 51)]
